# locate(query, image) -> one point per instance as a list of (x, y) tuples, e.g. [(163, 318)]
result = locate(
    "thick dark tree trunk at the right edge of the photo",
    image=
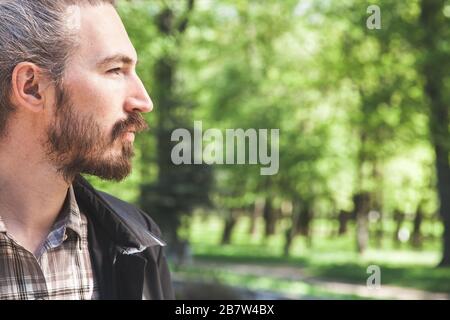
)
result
[(435, 70)]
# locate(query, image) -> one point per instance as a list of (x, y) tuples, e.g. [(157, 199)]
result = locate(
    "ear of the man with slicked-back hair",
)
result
[(28, 86)]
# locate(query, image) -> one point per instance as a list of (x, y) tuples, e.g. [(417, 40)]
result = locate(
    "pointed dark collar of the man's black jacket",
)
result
[(129, 234)]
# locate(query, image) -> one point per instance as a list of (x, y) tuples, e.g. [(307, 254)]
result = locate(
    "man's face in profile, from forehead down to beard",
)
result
[(98, 109)]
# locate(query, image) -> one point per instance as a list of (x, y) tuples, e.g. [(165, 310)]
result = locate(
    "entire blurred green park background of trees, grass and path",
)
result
[(364, 177)]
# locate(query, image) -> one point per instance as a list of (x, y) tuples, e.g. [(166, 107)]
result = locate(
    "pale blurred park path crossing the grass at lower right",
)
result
[(338, 287)]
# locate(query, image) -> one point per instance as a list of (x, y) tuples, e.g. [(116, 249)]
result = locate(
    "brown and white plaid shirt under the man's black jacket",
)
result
[(61, 270)]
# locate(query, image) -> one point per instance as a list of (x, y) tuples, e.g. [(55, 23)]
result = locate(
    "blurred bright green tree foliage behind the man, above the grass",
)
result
[(349, 102)]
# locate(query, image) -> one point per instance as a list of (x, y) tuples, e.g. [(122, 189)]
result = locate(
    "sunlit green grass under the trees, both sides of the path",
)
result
[(328, 257)]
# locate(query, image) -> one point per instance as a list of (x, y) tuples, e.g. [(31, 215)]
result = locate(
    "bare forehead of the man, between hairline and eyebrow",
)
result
[(101, 33)]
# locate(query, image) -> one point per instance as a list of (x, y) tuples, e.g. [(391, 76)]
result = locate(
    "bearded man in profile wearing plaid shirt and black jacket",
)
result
[(71, 103)]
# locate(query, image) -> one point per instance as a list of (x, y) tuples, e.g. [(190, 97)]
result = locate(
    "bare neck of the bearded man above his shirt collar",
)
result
[(32, 192)]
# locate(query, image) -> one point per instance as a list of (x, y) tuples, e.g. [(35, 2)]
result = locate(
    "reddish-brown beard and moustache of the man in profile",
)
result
[(77, 144)]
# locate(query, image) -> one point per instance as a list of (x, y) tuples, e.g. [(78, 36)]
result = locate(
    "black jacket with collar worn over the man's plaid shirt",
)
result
[(125, 247)]
